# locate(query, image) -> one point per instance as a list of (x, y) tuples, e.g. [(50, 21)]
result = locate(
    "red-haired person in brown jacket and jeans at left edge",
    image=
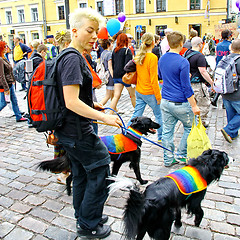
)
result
[(7, 82)]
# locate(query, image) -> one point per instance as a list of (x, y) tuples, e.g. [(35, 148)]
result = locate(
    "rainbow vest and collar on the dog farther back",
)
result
[(119, 143)]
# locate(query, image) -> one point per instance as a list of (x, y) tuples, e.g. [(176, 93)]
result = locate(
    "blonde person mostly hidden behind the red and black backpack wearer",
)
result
[(63, 39)]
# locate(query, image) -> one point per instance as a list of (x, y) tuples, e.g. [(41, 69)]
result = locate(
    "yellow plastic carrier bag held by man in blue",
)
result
[(198, 140)]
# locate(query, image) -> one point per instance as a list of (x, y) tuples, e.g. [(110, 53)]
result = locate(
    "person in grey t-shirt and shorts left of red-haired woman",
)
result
[(106, 58)]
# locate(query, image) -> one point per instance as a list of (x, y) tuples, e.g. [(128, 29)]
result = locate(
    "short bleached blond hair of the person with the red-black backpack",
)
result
[(76, 18)]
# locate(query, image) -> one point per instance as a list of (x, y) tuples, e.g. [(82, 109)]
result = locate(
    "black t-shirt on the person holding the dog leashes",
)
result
[(73, 70)]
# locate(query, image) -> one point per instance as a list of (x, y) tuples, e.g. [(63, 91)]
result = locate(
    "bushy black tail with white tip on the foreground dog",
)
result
[(134, 209)]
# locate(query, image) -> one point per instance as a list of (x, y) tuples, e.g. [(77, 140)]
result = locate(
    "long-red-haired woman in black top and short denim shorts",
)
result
[(120, 57)]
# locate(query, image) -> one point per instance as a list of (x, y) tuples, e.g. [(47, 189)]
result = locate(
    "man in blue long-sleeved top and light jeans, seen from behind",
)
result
[(178, 103)]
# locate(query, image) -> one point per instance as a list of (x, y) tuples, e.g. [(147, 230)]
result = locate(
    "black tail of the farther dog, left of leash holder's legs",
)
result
[(56, 165)]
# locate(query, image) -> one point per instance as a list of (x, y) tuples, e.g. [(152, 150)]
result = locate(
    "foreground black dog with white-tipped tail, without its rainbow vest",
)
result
[(154, 210)]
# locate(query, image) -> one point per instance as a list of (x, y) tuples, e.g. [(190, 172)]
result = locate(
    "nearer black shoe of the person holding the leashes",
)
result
[(101, 231)]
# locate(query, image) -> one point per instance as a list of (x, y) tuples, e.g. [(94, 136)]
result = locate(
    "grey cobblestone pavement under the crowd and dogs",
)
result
[(34, 206)]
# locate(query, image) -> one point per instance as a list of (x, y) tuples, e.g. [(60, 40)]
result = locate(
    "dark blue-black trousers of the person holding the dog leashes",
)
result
[(90, 168)]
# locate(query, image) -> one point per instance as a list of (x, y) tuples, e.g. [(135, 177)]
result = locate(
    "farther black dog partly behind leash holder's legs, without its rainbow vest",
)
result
[(141, 125)]
